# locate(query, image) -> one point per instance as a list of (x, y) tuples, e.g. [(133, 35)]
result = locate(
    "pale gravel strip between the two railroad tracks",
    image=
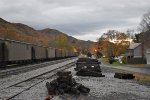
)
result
[(11, 80)]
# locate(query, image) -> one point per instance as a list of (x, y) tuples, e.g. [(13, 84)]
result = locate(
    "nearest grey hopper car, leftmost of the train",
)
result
[(14, 52)]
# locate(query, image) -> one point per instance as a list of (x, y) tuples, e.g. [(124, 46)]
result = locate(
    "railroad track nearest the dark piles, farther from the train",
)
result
[(14, 90)]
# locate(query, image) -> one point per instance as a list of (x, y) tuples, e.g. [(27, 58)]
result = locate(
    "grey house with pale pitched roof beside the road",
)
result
[(136, 54)]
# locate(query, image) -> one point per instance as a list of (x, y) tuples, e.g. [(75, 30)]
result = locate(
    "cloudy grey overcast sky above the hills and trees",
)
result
[(83, 19)]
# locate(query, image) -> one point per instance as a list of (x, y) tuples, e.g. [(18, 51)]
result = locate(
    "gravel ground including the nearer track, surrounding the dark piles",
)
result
[(31, 85)]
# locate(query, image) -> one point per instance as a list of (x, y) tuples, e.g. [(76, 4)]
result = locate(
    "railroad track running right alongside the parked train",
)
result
[(23, 69)]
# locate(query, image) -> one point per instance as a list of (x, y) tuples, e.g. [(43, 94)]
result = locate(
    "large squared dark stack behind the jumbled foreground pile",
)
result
[(88, 67)]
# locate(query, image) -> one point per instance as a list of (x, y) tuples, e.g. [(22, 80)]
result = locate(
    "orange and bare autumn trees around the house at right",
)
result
[(115, 43)]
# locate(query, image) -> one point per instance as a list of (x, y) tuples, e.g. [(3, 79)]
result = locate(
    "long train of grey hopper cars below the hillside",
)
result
[(16, 52)]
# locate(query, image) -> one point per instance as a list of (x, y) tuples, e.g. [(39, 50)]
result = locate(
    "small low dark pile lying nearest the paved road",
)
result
[(124, 76)]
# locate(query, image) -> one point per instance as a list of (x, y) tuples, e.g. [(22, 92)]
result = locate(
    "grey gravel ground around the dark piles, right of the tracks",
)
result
[(101, 88)]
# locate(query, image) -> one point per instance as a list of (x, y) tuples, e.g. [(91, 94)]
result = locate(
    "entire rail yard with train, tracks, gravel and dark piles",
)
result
[(35, 76)]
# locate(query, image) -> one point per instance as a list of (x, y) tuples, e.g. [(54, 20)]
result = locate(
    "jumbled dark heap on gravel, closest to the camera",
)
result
[(65, 84)]
